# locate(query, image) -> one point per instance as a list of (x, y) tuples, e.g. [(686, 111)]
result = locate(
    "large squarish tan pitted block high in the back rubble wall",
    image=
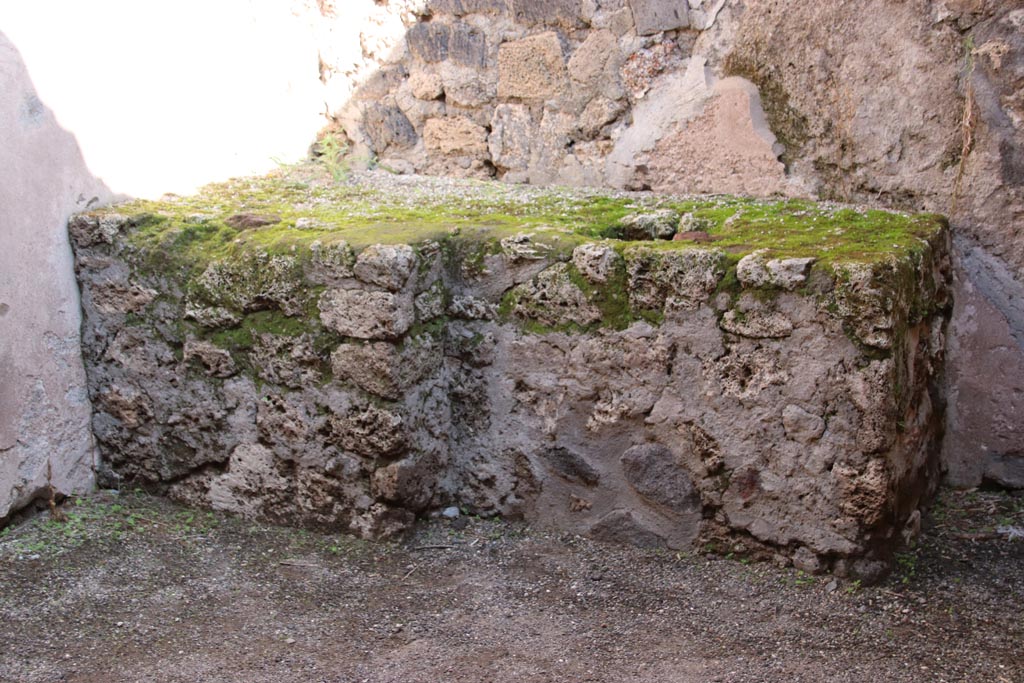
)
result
[(532, 69)]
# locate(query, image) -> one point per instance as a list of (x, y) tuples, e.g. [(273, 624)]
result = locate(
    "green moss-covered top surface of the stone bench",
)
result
[(293, 208)]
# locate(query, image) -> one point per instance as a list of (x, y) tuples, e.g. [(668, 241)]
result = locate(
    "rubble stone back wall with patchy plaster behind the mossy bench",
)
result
[(913, 106)]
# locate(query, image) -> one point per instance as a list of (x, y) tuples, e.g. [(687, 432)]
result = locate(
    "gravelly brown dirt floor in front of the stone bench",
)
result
[(132, 588)]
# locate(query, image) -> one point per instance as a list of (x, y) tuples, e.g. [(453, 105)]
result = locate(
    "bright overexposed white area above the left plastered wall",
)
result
[(165, 97)]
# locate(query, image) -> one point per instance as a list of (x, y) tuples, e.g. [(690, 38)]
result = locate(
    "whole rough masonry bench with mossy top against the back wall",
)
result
[(355, 355)]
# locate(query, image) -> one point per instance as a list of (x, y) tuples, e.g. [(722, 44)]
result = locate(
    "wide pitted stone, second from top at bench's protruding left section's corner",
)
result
[(367, 315)]
